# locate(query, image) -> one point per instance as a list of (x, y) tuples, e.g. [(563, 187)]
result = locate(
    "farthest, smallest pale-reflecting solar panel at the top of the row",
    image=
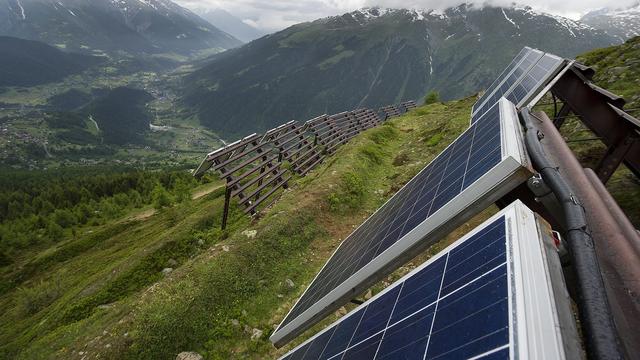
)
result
[(532, 73)]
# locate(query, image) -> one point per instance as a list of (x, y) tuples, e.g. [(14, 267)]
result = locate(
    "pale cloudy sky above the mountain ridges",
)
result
[(274, 15)]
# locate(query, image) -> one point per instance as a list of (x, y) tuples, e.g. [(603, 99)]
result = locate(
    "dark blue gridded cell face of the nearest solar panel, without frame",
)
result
[(456, 307)]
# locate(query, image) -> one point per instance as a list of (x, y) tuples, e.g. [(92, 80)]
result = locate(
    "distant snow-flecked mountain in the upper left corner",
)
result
[(132, 26)]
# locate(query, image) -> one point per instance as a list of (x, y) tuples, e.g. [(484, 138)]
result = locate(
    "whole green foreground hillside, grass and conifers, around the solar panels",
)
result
[(131, 264)]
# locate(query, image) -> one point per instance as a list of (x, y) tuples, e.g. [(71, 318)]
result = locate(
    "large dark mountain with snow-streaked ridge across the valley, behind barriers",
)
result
[(372, 57)]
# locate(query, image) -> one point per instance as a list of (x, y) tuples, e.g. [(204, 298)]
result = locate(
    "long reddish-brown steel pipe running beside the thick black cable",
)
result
[(617, 249)]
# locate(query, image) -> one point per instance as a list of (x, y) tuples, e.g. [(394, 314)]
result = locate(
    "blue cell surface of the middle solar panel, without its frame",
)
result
[(472, 155)]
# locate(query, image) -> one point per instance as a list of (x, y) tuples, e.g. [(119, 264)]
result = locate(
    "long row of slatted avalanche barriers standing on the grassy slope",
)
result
[(258, 167)]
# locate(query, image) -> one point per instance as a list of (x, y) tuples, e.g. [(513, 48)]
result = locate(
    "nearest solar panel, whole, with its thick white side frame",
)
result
[(486, 296)]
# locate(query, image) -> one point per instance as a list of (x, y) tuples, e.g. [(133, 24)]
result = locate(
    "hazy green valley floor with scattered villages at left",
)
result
[(52, 125)]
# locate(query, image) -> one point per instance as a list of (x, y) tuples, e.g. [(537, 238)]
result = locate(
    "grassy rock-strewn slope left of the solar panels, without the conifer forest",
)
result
[(193, 308)]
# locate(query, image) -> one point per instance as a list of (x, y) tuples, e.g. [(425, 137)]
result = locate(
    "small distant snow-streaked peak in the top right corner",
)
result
[(621, 23)]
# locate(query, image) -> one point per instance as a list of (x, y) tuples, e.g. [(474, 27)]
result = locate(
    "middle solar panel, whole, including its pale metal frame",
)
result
[(483, 164)]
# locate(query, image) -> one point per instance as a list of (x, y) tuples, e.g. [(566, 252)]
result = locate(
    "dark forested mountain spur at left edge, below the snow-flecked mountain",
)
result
[(29, 63)]
